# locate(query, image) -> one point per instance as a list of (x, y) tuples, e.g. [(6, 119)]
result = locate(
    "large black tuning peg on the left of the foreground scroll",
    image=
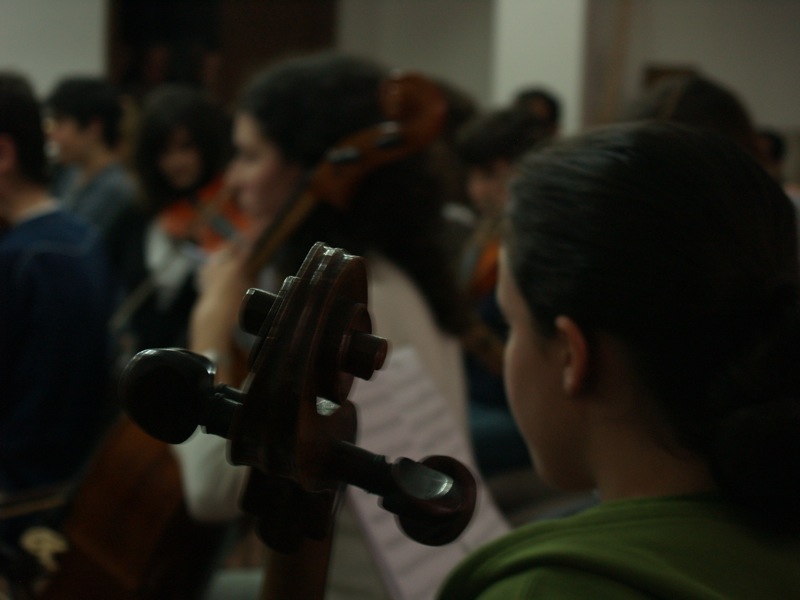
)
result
[(168, 392)]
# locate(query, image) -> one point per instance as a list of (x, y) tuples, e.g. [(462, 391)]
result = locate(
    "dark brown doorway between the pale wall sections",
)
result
[(214, 43)]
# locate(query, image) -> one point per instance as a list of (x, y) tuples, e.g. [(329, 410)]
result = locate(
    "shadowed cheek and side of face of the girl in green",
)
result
[(533, 373)]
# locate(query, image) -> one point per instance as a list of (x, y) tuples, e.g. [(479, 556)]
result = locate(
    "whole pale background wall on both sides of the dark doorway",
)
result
[(591, 52)]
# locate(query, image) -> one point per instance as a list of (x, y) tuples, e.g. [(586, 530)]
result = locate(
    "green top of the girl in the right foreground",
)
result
[(688, 547)]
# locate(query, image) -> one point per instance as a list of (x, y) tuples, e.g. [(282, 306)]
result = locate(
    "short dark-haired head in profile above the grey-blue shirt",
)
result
[(85, 113)]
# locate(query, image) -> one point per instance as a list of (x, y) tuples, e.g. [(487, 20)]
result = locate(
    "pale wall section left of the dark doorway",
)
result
[(47, 39)]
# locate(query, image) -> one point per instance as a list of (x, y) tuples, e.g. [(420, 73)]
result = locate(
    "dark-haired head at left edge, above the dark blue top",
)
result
[(22, 151)]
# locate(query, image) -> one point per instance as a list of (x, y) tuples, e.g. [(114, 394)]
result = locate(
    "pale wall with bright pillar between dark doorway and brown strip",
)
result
[(490, 48)]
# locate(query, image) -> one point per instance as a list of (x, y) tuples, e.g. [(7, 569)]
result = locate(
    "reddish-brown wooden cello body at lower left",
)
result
[(128, 530)]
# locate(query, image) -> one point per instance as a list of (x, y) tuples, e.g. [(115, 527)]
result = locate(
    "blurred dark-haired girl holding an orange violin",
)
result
[(180, 155)]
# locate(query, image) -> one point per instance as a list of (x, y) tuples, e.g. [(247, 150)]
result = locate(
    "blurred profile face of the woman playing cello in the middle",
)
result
[(259, 175)]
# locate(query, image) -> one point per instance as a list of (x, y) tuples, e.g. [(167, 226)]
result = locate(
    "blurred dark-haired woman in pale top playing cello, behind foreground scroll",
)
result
[(287, 120)]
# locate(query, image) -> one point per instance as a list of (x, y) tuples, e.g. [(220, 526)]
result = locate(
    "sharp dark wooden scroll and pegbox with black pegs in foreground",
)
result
[(293, 423)]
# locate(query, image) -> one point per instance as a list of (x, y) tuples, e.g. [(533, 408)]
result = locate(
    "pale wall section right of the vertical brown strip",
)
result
[(750, 45)]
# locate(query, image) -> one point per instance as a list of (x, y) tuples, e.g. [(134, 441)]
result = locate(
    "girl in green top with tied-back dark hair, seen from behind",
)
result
[(650, 280)]
